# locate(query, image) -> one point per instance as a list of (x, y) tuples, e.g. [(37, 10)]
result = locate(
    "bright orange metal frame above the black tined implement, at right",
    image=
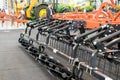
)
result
[(96, 18)]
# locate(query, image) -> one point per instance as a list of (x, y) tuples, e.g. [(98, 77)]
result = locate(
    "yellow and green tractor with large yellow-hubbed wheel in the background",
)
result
[(36, 9)]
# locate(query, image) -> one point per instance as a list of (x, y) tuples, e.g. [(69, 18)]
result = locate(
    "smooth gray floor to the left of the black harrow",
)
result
[(15, 64)]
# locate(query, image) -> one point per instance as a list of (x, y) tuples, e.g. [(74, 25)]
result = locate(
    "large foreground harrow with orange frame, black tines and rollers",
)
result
[(77, 46)]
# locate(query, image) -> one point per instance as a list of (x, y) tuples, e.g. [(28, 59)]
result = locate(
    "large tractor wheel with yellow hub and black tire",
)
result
[(40, 11)]
